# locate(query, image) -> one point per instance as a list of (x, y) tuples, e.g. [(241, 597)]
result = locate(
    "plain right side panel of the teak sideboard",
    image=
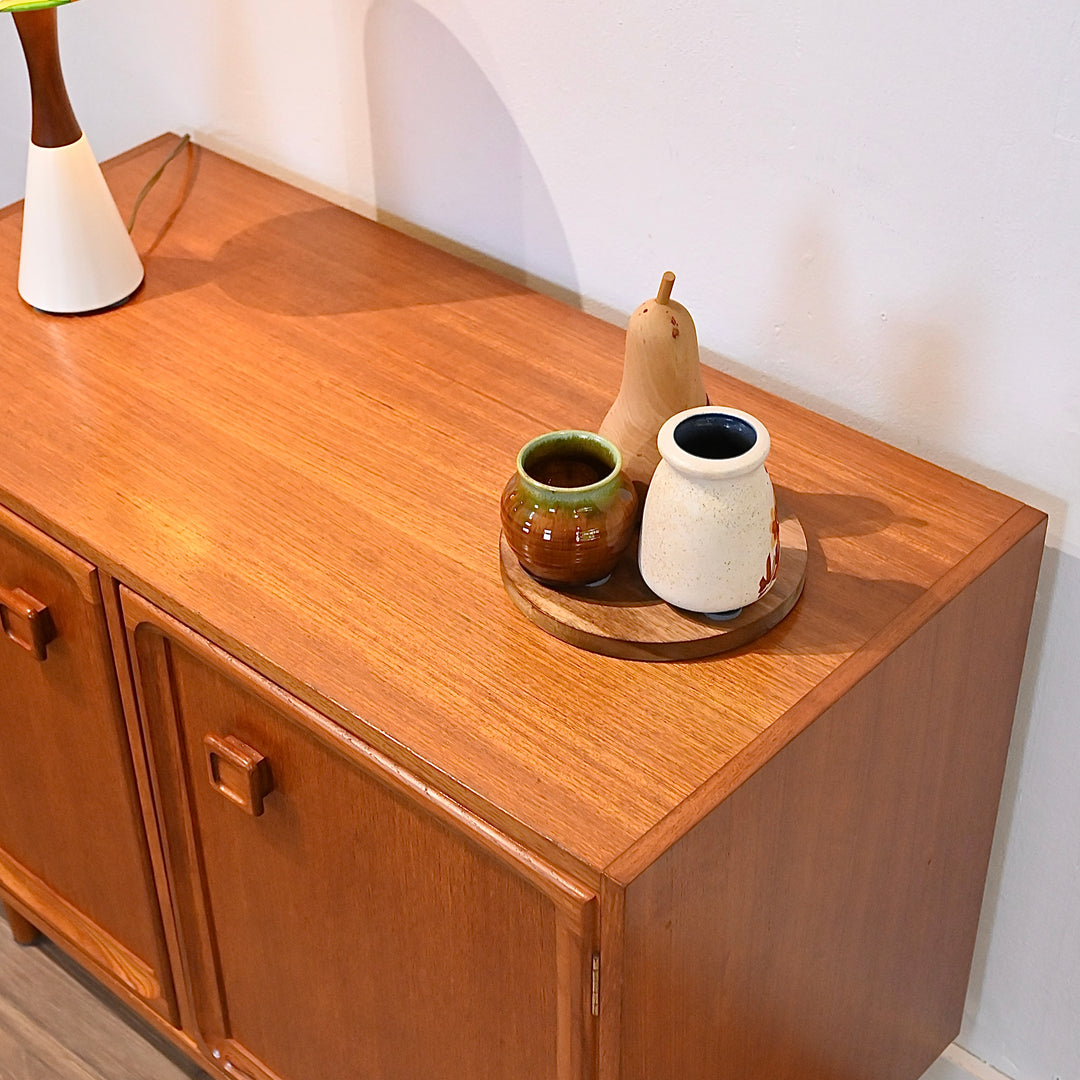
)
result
[(820, 923)]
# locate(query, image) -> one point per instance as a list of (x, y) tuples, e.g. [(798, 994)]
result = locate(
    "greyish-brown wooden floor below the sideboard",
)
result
[(58, 1024)]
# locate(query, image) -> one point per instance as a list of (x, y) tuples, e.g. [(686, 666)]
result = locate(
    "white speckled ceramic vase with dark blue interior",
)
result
[(710, 535)]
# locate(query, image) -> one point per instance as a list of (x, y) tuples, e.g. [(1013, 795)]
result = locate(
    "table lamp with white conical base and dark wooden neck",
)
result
[(76, 254)]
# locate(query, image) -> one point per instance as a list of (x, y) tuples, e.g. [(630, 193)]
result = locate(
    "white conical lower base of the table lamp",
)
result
[(77, 255)]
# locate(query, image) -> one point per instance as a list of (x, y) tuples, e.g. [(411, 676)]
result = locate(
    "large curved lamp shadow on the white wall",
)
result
[(449, 161)]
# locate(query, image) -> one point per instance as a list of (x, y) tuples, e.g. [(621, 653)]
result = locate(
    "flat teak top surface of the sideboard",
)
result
[(295, 438)]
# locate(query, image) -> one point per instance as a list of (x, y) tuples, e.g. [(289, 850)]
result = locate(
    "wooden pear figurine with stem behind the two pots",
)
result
[(661, 376)]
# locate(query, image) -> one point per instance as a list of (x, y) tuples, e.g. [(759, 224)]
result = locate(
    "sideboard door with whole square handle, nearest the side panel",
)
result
[(339, 920)]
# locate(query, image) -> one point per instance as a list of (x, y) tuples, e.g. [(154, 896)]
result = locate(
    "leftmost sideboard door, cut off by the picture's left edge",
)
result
[(73, 848)]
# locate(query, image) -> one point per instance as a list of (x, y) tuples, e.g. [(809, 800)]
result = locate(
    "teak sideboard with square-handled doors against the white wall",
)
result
[(283, 766)]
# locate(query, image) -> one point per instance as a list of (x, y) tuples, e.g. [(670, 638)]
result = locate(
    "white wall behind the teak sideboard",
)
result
[(873, 209)]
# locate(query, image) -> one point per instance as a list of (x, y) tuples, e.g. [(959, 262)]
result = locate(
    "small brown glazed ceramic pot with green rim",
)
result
[(570, 511)]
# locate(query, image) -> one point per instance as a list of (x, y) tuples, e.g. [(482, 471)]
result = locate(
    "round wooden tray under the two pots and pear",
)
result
[(625, 618)]
